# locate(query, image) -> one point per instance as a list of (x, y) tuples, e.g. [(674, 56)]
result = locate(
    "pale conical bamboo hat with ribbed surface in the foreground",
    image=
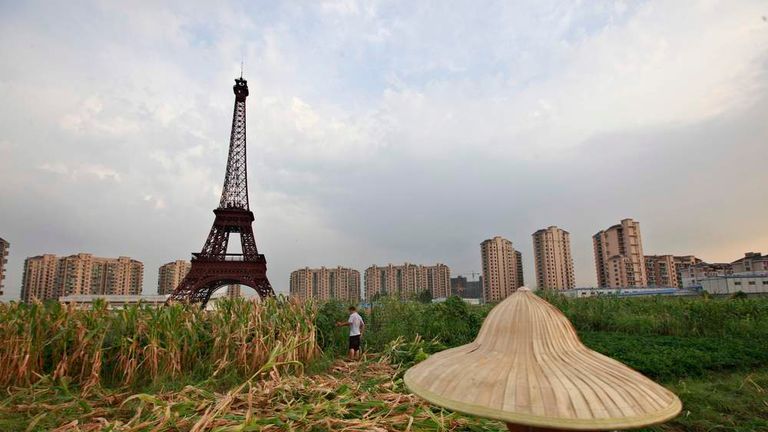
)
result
[(528, 367)]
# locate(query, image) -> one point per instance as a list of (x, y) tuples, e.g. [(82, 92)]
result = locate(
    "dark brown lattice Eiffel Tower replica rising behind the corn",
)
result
[(213, 267)]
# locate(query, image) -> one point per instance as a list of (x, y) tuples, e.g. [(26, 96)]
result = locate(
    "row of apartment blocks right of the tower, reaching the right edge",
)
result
[(619, 262)]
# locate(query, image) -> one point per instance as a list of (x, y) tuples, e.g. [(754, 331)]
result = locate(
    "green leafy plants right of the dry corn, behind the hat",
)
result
[(663, 337)]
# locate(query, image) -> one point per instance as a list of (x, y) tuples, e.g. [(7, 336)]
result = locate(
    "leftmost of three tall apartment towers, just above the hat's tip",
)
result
[(502, 269)]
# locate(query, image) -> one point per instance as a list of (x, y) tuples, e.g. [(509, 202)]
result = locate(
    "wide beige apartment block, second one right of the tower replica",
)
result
[(407, 280)]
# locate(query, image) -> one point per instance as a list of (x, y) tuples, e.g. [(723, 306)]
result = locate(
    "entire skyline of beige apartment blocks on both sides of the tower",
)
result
[(619, 261)]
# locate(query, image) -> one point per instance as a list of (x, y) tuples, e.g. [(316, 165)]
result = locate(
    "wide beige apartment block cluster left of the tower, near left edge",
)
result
[(80, 274)]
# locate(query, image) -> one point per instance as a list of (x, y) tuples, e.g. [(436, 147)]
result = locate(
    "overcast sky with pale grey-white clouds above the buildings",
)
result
[(386, 131)]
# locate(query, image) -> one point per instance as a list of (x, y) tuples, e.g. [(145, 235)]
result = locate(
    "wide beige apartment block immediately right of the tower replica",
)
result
[(326, 283)]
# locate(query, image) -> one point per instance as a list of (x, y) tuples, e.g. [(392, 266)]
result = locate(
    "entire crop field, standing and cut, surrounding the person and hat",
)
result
[(276, 366)]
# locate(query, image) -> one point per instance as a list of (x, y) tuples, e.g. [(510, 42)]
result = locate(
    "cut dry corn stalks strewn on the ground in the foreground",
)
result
[(349, 396)]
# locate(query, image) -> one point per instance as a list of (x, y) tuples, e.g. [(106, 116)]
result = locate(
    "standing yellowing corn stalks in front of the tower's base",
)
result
[(137, 346)]
